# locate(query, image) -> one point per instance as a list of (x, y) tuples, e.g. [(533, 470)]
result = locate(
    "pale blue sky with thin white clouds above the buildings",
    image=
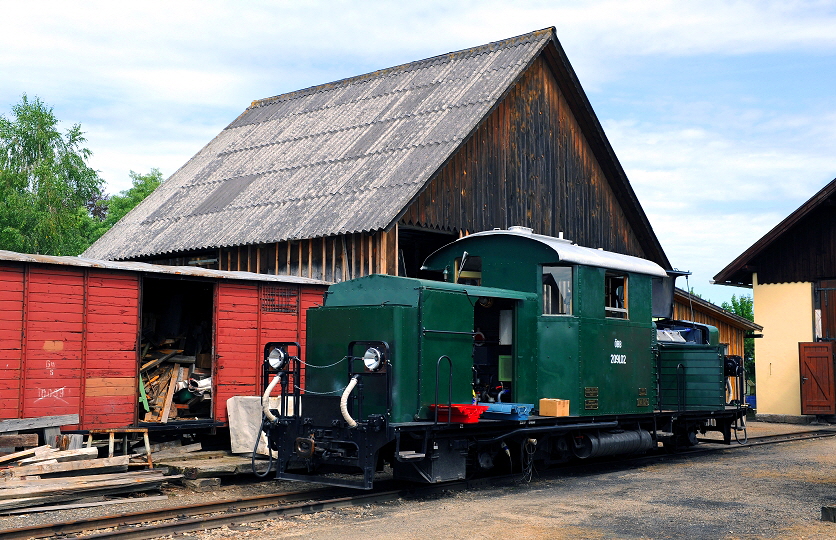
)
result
[(722, 114)]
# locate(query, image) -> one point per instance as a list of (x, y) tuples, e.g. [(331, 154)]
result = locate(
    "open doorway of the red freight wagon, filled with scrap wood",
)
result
[(176, 351)]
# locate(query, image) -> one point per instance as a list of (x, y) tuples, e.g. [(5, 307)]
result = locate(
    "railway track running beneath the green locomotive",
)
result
[(172, 520)]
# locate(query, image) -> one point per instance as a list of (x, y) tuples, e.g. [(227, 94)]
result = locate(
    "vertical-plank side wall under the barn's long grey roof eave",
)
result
[(333, 259)]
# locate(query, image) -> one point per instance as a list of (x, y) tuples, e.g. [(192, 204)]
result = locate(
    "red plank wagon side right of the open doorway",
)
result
[(246, 319)]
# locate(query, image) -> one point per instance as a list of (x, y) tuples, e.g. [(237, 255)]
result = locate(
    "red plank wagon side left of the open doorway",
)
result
[(65, 358)]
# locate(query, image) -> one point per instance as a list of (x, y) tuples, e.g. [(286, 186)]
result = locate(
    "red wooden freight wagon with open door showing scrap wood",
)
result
[(80, 336)]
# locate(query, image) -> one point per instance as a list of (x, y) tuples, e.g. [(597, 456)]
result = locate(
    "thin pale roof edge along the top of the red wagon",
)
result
[(191, 271)]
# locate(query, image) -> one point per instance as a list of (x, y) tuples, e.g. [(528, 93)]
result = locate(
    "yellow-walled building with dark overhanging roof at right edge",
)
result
[(792, 274)]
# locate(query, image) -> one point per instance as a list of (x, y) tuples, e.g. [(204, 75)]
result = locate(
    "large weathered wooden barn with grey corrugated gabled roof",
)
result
[(373, 173)]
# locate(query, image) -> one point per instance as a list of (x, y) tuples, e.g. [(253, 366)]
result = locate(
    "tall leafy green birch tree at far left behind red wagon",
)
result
[(45, 182)]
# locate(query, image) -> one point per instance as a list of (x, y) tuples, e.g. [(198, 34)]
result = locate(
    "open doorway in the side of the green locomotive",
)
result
[(493, 350)]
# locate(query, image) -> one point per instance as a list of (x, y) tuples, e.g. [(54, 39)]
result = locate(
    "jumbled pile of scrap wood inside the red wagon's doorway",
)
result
[(169, 379)]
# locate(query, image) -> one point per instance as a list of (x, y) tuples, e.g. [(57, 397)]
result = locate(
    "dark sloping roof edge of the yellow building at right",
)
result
[(739, 271)]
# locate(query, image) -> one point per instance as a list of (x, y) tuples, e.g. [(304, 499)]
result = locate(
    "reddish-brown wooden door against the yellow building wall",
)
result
[(817, 385)]
